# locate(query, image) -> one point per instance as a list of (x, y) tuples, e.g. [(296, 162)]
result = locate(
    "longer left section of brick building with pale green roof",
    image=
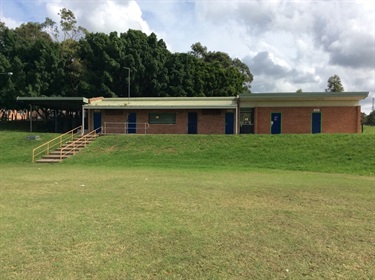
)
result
[(215, 115)]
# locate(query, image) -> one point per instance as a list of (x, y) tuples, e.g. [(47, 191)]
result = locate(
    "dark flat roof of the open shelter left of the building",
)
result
[(59, 103)]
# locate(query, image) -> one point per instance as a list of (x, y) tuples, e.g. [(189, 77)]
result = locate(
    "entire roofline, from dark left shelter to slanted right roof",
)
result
[(76, 103)]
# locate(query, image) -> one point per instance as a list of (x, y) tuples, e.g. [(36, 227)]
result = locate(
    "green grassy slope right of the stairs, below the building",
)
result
[(320, 153)]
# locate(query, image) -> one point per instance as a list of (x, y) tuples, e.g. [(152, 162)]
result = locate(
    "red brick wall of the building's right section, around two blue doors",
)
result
[(298, 119)]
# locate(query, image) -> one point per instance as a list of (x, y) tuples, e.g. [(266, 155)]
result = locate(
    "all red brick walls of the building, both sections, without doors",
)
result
[(296, 120)]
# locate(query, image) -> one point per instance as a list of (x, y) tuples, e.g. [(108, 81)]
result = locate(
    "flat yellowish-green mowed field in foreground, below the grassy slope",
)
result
[(63, 222)]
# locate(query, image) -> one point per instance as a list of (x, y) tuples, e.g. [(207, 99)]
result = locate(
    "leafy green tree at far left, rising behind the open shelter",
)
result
[(34, 58)]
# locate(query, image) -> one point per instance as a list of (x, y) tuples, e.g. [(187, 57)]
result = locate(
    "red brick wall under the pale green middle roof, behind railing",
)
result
[(207, 123)]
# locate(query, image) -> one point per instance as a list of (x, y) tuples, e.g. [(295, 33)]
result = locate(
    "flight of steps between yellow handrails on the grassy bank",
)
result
[(68, 149)]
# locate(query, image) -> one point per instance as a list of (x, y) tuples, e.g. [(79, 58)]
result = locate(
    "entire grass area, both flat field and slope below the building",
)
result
[(180, 207)]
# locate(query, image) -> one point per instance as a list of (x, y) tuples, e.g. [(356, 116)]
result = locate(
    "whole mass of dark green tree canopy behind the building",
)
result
[(64, 59)]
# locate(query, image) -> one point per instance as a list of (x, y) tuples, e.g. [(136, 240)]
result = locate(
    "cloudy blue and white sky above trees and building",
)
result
[(288, 45)]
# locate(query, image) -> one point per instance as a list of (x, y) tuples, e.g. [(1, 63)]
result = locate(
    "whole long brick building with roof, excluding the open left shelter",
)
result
[(265, 113)]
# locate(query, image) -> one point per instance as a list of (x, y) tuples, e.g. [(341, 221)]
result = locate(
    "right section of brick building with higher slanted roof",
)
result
[(314, 112)]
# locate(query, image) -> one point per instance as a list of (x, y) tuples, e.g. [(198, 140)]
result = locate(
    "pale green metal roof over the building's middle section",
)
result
[(164, 103)]
